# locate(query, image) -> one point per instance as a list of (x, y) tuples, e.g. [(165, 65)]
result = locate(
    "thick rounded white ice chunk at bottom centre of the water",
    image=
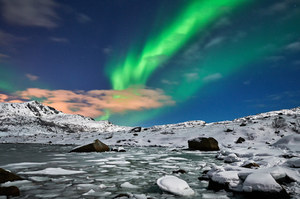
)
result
[(175, 185)]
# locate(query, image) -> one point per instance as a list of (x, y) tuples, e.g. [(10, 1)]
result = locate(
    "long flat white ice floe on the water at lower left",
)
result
[(53, 171)]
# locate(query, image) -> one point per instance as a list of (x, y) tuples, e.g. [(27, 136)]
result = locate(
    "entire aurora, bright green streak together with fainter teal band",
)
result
[(231, 56)]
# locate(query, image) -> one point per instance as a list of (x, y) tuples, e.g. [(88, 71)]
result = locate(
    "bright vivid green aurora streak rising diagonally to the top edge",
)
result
[(138, 67)]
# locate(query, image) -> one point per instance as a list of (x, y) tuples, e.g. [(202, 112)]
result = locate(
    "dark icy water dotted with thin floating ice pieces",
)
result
[(107, 174)]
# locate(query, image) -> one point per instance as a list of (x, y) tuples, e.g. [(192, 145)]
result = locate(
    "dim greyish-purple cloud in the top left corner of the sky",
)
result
[(30, 13)]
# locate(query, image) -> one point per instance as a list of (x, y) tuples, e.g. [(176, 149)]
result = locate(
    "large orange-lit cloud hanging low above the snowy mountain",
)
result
[(94, 103)]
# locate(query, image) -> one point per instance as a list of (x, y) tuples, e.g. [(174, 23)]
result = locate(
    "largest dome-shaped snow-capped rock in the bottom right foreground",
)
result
[(262, 182)]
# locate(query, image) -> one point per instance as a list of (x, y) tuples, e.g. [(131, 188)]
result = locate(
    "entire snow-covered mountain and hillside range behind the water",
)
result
[(32, 122)]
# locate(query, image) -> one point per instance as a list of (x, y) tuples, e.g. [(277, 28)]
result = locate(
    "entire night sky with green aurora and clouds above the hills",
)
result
[(136, 62)]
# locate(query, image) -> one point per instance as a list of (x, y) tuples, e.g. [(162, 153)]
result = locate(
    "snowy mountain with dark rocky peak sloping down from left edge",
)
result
[(33, 118)]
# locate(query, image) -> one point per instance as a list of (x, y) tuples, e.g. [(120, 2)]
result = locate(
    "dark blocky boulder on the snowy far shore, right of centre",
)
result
[(203, 144)]
